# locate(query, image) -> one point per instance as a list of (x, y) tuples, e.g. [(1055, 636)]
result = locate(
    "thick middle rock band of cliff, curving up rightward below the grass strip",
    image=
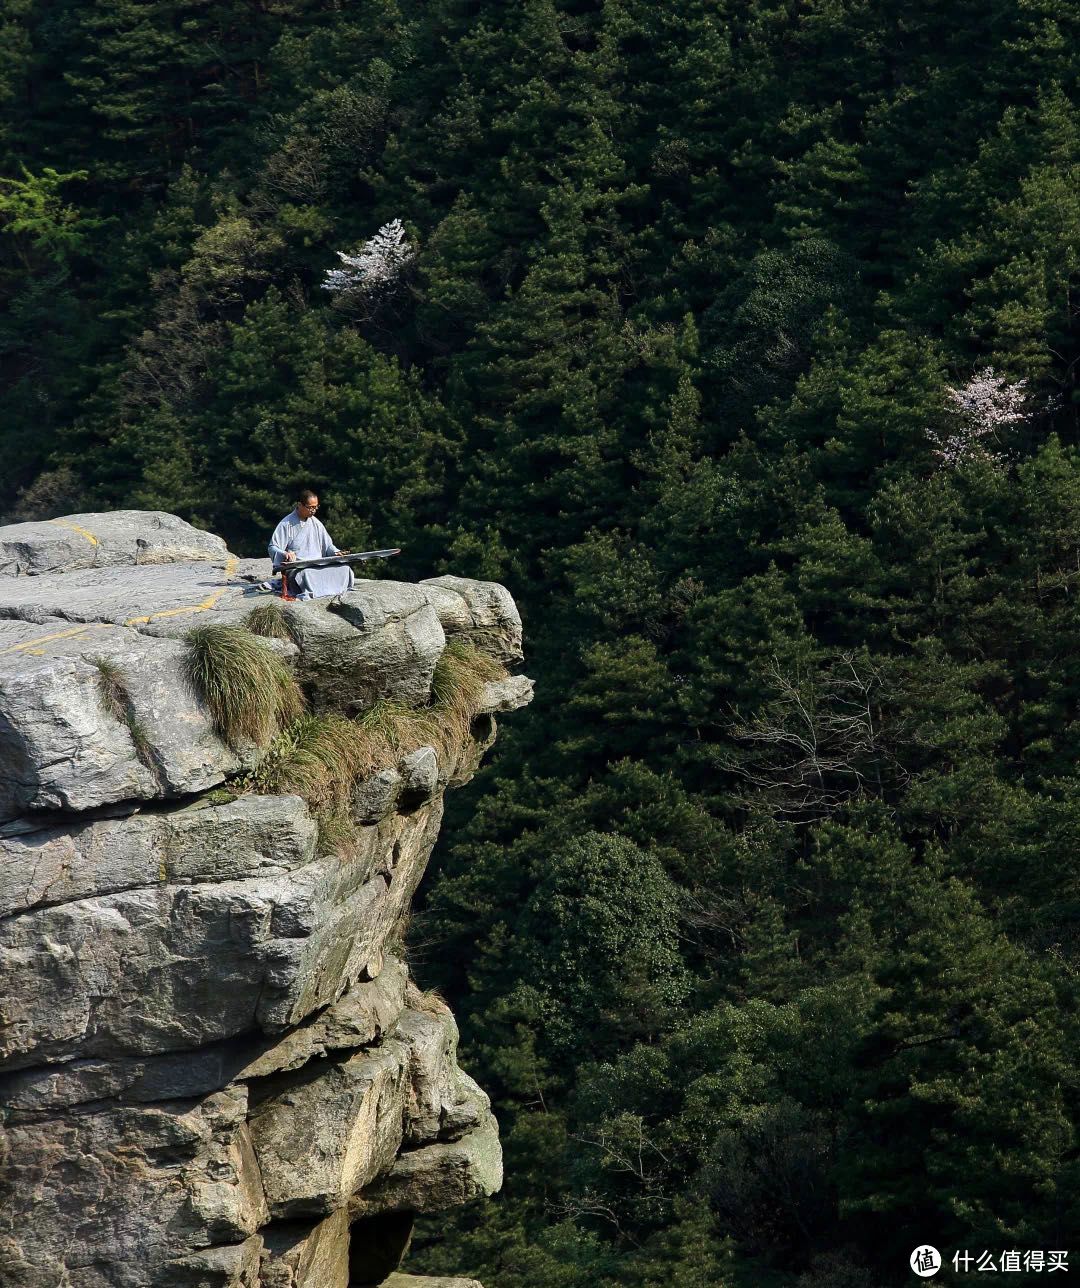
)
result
[(126, 973)]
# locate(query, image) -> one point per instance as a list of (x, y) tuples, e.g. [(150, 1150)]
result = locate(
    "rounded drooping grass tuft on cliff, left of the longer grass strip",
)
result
[(249, 690)]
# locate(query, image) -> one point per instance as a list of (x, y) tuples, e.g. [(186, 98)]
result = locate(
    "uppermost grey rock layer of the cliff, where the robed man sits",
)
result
[(64, 746)]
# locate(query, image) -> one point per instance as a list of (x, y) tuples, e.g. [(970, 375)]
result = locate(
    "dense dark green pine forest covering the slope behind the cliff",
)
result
[(741, 341)]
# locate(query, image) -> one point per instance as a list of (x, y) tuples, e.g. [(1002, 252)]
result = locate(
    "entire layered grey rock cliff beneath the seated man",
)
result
[(214, 1068)]
